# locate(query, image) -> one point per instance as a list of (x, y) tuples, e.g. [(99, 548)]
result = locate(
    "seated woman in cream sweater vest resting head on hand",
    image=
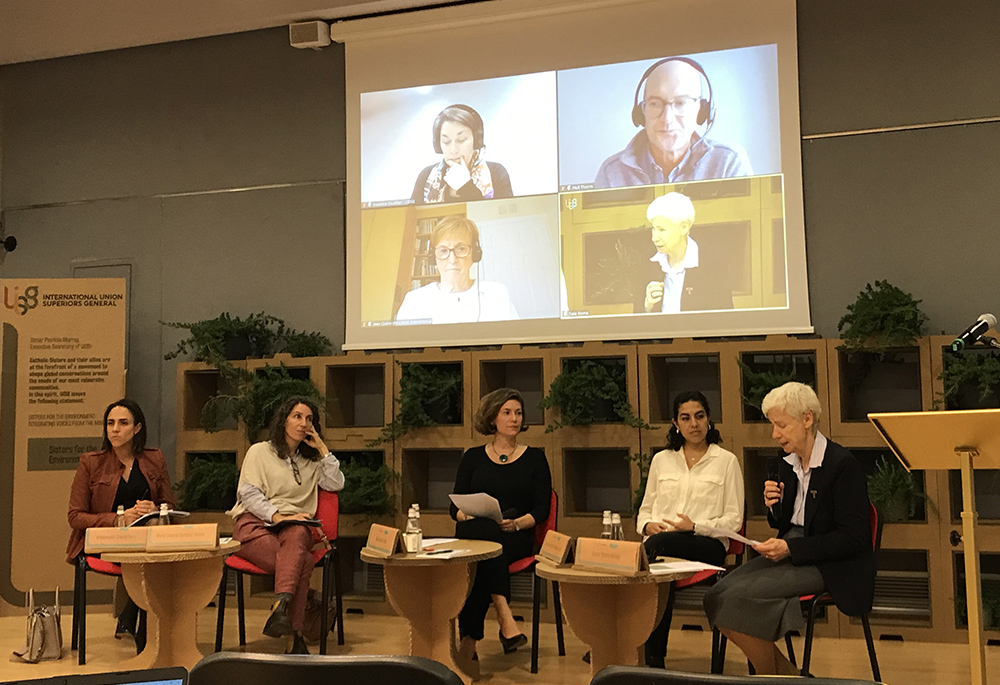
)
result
[(279, 481)]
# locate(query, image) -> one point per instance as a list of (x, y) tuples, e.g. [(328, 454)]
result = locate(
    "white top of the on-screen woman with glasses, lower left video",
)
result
[(484, 301)]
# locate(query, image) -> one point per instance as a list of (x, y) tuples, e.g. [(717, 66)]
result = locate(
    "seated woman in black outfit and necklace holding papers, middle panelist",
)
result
[(518, 477)]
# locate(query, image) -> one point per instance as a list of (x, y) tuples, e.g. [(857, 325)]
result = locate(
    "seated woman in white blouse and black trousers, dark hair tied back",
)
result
[(694, 486)]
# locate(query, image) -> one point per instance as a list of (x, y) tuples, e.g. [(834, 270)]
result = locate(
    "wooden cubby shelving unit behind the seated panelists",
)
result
[(917, 577)]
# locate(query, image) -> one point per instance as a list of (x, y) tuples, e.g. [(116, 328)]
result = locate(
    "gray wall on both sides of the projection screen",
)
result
[(96, 149)]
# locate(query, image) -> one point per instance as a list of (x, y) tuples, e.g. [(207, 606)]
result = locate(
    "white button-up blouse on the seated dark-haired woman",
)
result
[(710, 493)]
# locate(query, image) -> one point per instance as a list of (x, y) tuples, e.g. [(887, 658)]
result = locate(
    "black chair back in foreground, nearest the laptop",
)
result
[(227, 668)]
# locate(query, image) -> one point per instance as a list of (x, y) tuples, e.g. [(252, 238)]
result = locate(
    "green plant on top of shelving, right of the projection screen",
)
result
[(882, 317)]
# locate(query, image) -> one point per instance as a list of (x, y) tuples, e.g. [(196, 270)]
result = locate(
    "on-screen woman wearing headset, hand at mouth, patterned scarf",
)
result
[(462, 175)]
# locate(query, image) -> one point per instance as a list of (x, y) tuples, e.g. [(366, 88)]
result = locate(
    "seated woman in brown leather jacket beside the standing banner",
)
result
[(125, 472)]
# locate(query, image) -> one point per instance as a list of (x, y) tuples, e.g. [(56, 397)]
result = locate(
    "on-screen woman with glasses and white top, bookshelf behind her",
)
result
[(457, 297)]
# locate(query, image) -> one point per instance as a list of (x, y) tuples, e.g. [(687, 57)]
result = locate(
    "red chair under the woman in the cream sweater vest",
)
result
[(328, 511)]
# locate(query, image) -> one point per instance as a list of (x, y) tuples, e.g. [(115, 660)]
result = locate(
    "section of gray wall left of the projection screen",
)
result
[(213, 168)]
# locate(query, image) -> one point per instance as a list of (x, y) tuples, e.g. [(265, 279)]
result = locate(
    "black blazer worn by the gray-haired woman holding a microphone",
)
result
[(838, 536)]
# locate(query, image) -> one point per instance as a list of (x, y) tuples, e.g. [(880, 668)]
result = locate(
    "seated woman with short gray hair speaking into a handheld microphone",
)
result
[(819, 506)]
